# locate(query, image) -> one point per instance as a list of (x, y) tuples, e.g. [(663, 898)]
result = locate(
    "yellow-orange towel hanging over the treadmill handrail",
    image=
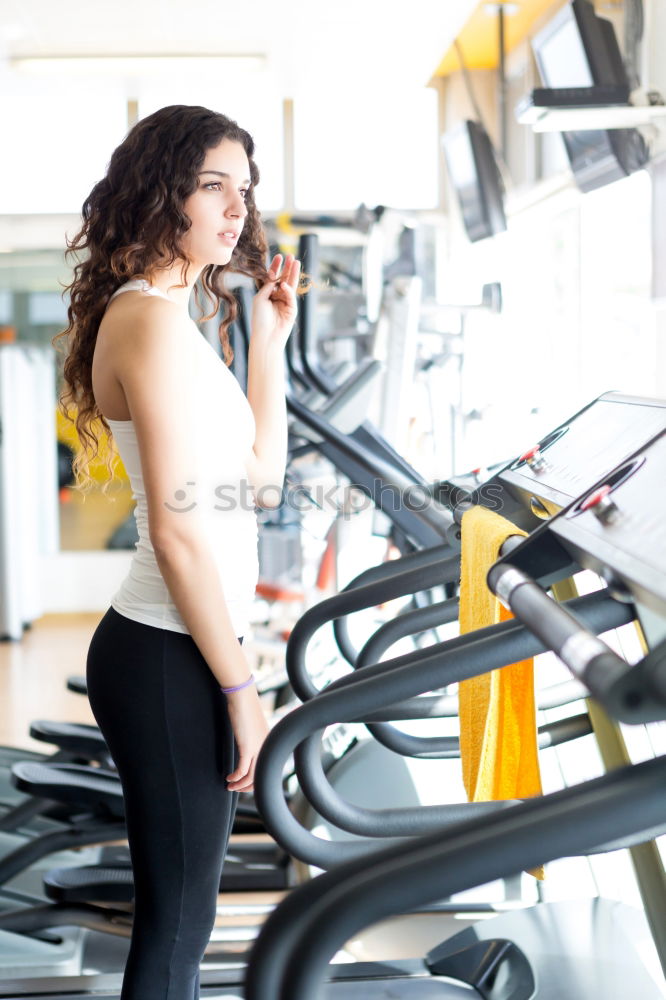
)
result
[(498, 732)]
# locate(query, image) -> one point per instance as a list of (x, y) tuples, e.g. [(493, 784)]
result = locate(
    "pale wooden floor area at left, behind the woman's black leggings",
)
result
[(33, 673)]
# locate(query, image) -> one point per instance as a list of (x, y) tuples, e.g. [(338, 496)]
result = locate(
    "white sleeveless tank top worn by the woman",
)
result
[(225, 435)]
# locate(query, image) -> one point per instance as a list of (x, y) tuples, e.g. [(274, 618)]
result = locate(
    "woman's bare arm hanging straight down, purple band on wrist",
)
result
[(155, 366)]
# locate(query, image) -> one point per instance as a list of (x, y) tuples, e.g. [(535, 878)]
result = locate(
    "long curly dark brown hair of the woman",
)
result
[(133, 223)]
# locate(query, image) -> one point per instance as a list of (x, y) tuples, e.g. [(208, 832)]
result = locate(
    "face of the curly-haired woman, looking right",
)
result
[(217, 208)]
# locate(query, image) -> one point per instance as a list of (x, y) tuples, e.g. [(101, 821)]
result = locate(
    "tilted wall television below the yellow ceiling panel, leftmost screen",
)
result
[(474, 175)]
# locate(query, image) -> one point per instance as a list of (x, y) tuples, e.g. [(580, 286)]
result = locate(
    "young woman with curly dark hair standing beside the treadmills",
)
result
[(167, 679)]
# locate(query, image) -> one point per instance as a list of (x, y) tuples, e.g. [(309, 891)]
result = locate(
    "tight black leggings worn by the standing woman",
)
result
[(166, 724)]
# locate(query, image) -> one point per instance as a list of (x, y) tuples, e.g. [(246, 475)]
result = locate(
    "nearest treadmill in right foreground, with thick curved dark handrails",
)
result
[(550, 950)]
